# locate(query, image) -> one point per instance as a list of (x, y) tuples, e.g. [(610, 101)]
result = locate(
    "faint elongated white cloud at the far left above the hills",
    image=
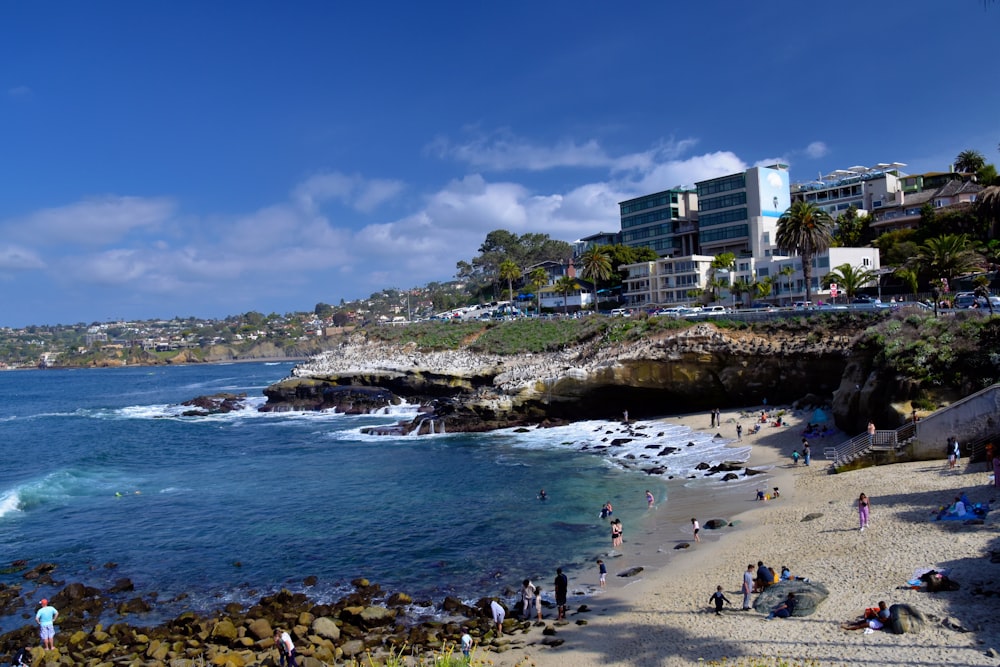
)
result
[(94, 221)]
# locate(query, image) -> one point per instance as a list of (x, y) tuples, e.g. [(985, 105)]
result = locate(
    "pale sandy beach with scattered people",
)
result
[(663, 618)]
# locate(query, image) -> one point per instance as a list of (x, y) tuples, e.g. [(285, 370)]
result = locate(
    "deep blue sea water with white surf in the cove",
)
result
[(230, 507)]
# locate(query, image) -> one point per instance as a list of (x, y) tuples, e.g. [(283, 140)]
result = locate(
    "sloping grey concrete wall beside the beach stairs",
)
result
[(974, 417)]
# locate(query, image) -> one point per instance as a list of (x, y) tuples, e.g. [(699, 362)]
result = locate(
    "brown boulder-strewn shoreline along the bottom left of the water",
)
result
[(366, 622)]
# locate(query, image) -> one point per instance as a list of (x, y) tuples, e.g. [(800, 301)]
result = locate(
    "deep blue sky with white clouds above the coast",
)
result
[(207, 159)]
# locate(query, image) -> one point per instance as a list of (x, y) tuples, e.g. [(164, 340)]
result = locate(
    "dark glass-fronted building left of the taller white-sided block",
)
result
[(663, 221)]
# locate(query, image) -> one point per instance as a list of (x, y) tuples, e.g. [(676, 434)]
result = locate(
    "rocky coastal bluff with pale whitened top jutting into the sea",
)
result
[(680, 371)]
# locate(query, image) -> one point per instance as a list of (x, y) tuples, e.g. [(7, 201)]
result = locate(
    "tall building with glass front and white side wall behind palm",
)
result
[(739, 213)]
